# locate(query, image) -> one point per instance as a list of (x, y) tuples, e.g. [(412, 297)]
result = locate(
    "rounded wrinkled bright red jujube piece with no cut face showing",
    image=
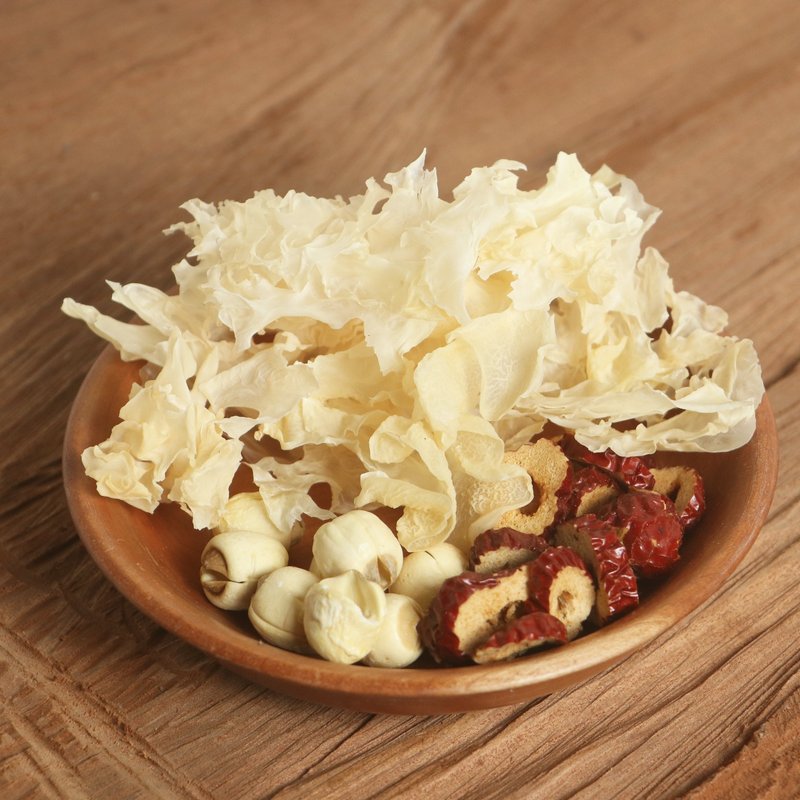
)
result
[(650, 529)]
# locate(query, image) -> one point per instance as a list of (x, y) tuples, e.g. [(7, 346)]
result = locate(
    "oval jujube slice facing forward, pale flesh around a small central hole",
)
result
[(561, 585)]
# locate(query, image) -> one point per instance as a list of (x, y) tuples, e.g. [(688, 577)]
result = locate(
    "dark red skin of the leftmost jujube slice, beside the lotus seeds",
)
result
[(437, 628)]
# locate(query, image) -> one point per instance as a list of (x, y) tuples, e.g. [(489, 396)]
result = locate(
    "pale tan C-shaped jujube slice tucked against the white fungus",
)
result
[(551, 475)]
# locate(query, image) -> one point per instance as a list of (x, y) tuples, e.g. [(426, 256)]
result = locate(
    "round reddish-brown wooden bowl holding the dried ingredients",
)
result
[(154, 561)]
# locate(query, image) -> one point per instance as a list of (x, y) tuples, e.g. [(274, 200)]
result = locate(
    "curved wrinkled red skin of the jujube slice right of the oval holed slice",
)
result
[(598, 544)]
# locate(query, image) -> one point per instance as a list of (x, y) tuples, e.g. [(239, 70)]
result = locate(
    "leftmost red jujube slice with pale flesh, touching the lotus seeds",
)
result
[(468, 609)]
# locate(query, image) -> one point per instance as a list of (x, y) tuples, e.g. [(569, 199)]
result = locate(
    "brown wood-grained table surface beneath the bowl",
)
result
[(114, 113)]
